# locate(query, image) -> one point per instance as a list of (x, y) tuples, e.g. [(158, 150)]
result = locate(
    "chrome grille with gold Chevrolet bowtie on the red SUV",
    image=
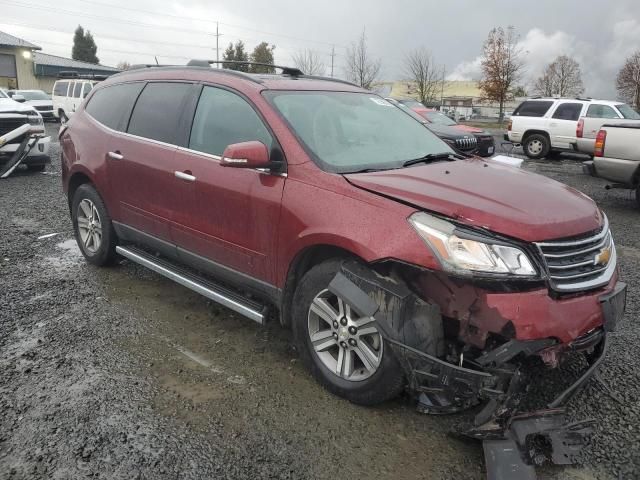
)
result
[(582, 263)]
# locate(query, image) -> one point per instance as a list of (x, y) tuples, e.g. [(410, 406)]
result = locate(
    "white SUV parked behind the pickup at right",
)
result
[(545, 124)]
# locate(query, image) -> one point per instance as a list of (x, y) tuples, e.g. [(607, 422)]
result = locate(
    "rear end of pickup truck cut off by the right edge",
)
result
[(617, 156)]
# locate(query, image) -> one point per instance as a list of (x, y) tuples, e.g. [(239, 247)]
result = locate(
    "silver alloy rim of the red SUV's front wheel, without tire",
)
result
[(347, 344)]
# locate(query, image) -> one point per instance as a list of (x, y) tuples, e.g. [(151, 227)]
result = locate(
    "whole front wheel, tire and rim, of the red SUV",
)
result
[(345, 352)]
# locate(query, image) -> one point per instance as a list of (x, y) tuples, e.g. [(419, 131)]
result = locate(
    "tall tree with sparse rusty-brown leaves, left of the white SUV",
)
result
[(502, 66)]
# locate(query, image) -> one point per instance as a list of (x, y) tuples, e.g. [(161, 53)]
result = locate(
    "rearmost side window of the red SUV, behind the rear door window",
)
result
[(112, 106)]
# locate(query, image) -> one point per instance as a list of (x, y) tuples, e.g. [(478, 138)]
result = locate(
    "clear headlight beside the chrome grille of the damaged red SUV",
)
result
[(465, 255)]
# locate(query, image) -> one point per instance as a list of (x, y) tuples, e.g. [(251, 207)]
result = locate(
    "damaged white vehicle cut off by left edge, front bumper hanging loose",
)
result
[(12, 116)]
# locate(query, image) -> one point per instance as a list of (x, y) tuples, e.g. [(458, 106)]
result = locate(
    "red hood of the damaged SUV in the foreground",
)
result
[(485, 194)]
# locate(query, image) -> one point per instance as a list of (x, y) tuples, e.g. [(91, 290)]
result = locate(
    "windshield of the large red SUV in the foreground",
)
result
[(349, 132)]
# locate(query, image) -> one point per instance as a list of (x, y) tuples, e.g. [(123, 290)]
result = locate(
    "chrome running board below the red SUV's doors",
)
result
[(222, 295)]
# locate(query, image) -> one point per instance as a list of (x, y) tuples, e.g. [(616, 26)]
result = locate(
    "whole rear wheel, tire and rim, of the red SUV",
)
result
[(93, 227)]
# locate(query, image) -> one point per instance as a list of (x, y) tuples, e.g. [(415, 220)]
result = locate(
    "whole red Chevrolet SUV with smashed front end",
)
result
[(397, 263)]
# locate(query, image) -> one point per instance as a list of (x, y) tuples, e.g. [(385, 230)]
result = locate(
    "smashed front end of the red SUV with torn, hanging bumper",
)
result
[(455, 360)]
